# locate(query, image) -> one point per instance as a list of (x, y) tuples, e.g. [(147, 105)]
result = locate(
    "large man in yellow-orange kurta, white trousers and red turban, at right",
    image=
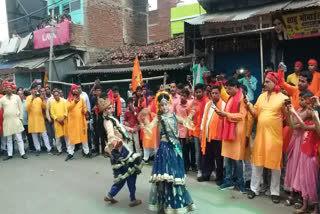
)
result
[(267, 148)]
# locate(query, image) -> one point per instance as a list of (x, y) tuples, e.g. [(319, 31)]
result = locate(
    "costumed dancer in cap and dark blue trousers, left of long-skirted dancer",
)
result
[(126, 165)]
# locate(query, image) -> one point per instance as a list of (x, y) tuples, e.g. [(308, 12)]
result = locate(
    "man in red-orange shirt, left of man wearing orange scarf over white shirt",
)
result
[(198, 103)]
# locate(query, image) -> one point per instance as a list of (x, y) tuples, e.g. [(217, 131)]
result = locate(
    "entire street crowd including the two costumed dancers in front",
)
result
[(209, 125)]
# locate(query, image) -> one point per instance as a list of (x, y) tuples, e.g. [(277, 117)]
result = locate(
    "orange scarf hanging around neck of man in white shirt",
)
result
[(214, 124)]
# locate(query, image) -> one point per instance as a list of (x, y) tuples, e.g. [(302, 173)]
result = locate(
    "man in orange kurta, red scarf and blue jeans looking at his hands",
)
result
[(233, 135)]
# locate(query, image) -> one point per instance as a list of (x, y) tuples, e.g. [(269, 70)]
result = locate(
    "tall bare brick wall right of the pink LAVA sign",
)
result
[(109, 24)]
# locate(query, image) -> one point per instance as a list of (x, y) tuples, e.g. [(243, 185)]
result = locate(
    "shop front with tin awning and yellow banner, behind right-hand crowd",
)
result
[(254, 37)]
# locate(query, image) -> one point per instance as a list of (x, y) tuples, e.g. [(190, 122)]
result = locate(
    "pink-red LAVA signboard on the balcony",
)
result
[(61, 35)]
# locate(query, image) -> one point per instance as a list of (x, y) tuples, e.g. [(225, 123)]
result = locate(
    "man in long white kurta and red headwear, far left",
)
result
[(12, 120)]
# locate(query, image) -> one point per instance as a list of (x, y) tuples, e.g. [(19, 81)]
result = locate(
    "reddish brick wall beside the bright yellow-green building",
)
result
[(159, 21)]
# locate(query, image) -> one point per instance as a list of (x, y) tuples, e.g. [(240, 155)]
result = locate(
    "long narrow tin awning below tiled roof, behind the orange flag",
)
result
[(163, 67)]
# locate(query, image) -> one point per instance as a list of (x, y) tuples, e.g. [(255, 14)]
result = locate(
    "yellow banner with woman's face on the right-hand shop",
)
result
[(298, 25)]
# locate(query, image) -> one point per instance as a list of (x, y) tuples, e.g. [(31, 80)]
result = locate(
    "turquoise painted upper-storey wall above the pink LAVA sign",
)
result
[(76, 16)]
